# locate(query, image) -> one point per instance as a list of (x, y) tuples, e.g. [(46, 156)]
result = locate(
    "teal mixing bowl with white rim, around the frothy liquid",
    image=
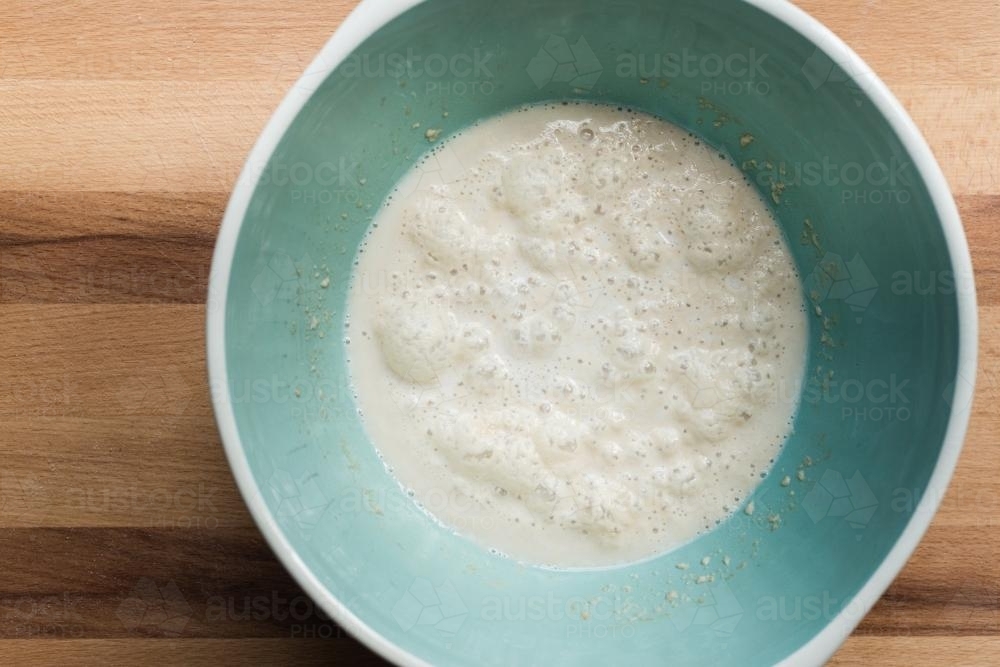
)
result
[(870, 222)]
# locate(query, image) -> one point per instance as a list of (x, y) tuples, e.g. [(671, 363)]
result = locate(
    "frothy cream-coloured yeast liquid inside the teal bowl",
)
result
[(573, 334)]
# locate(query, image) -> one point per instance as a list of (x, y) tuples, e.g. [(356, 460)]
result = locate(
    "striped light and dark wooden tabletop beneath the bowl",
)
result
[(122, 128)]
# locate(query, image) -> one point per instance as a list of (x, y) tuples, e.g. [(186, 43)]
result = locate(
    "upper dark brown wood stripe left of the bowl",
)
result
[(101, 247)]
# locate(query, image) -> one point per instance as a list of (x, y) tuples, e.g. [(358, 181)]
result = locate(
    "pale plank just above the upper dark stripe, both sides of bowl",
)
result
[(196, 137)]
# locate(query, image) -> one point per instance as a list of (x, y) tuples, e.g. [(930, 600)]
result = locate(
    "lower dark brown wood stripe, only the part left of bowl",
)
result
[(116, 583)]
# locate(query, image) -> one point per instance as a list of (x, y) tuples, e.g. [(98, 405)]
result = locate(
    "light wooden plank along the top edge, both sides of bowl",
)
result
[(189, 40)]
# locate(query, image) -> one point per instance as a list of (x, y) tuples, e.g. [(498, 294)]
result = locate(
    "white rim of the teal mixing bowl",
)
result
[(368, 17)]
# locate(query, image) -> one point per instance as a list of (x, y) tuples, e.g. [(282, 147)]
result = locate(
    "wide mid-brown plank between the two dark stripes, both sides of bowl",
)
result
[(122, 421)]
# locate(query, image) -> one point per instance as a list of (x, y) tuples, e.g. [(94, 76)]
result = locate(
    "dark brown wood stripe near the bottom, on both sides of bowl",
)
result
[(225, 584)]
